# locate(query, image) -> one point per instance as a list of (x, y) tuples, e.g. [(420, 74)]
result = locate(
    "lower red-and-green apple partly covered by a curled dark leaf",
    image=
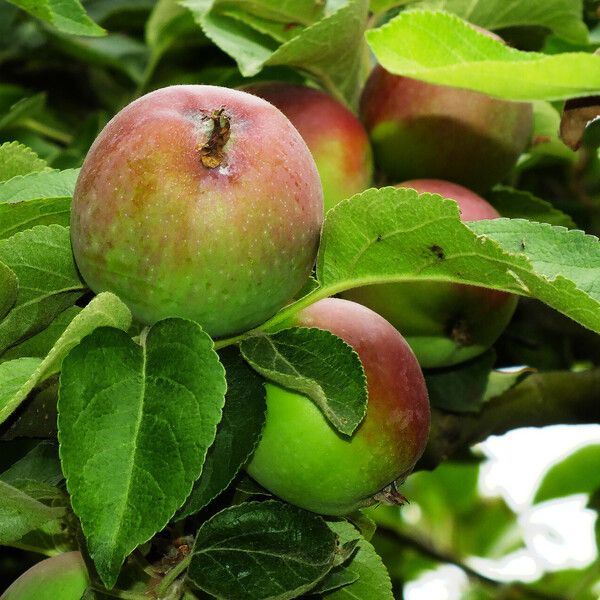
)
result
[(303, 460)]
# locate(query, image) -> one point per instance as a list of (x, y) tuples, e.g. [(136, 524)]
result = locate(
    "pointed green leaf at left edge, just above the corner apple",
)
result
[(21, 514)]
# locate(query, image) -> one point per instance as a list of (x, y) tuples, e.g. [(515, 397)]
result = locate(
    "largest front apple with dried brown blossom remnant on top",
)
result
[(225, 245)]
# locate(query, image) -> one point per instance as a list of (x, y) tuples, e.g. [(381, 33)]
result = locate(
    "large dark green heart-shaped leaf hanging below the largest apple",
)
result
[(135, 423)]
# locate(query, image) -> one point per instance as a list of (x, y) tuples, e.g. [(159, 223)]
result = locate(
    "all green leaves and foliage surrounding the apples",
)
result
[(156, 424)]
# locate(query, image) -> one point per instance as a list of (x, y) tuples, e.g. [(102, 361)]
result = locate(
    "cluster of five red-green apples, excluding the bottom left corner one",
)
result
[(207, 203)]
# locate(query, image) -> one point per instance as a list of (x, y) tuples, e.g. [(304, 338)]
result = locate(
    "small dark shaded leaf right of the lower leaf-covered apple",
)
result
[(460, 389)]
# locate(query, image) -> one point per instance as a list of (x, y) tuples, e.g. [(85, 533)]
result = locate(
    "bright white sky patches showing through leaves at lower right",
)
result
[(558, 534)]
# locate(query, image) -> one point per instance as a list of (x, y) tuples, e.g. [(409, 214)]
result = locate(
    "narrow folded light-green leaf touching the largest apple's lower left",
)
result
[(103, 311)]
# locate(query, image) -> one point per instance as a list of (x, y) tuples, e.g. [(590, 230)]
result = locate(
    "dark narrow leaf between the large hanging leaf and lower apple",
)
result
[(238, 432)]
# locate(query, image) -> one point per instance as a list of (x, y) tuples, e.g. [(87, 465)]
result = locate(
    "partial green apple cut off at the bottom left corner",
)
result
[(61, 577)]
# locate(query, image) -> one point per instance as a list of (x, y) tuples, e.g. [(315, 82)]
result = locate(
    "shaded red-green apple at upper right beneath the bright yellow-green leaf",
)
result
[(419, 129)]
